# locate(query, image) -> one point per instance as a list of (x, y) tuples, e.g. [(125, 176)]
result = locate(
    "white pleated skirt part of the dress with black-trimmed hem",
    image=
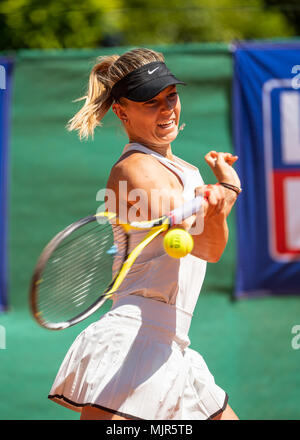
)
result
[(135, 362)]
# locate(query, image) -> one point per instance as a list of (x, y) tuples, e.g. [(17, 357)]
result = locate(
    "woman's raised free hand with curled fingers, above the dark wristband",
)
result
[(221, 166)]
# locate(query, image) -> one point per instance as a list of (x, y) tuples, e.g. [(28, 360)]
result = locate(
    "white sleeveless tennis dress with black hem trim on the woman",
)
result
[(135, 360)]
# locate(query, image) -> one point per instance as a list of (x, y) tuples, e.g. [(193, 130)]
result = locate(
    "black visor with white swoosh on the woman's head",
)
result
[(145, 82)]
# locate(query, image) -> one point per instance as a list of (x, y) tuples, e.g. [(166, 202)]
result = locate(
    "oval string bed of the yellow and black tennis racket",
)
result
[(80, 269)]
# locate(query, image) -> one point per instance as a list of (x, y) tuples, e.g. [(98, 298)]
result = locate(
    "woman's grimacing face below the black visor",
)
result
[(154, 122)]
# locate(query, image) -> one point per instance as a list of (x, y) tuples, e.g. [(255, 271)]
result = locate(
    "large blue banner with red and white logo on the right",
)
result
[(266, 114)]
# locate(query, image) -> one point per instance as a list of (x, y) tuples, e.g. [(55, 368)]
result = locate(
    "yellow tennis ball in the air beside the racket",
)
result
[(178, 243)]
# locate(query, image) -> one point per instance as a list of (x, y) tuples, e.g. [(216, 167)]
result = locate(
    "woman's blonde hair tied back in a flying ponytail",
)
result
[(104, 75)]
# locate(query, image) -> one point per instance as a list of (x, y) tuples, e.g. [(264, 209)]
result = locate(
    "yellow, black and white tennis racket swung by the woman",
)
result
[(86, 263)]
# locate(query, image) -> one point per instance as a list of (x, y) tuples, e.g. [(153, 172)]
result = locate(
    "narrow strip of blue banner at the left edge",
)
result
[(6, 68)]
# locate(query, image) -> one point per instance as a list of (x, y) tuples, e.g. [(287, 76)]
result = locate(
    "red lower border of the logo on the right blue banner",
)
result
[(280, 212)]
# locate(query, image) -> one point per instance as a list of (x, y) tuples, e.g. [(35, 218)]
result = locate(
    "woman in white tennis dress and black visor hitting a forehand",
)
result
[(135, 363)]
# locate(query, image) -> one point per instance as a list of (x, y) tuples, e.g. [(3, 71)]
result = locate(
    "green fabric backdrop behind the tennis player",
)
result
[(54, 179)]
